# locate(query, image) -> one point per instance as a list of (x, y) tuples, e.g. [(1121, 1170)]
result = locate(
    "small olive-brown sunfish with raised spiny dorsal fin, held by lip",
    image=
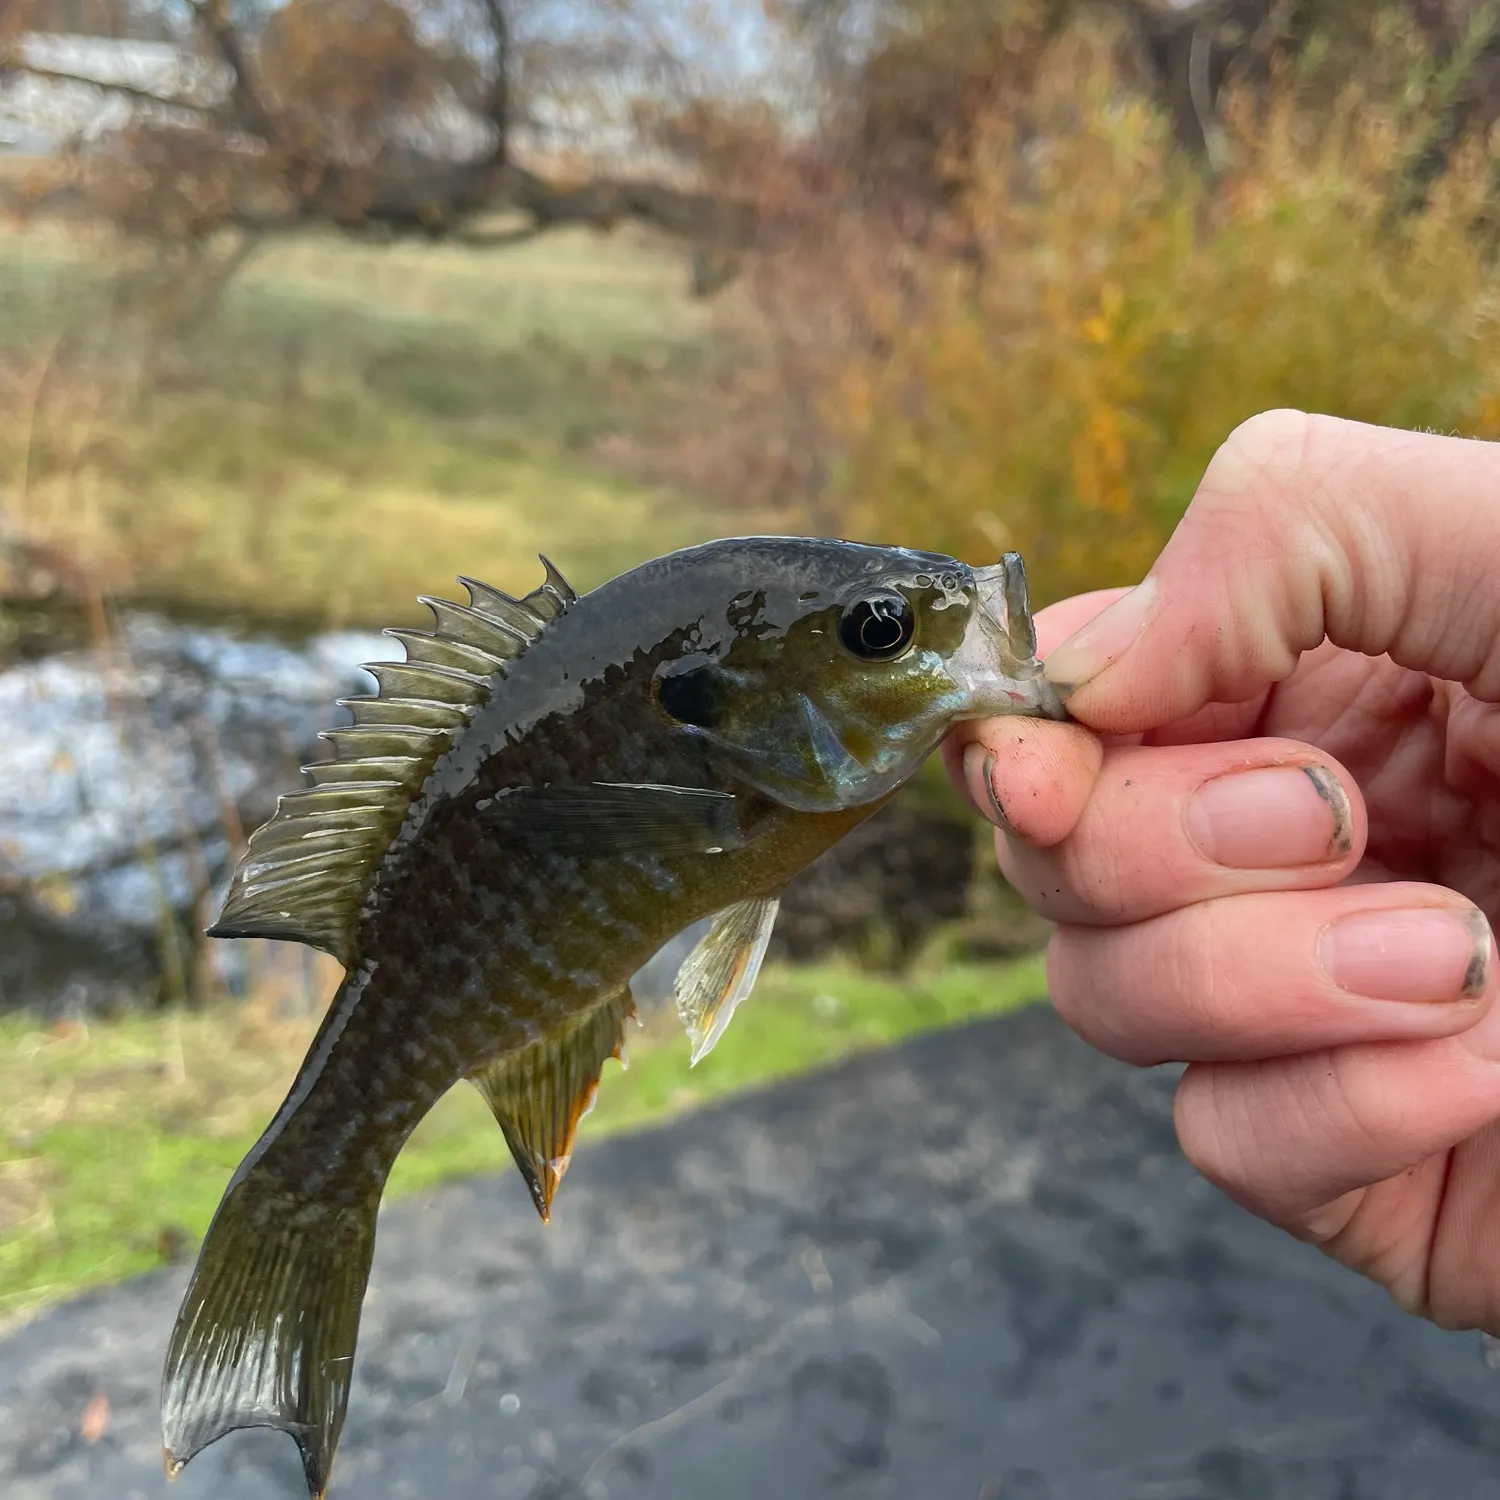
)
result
[(539, 799)]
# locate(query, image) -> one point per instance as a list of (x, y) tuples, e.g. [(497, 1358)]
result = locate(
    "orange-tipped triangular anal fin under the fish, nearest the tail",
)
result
[(541, 1093)]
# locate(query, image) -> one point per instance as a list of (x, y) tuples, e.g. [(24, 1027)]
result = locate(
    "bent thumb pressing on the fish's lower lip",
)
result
[(1304, 529)]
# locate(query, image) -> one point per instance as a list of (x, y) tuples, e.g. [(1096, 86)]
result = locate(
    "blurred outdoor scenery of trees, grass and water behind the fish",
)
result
[(308, 307)]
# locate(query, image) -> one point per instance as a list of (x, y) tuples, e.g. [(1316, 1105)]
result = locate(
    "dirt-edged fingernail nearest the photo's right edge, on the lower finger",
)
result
[(1433, 955)]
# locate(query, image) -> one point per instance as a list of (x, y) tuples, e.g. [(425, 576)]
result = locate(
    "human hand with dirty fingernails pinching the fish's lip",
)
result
[(1273, 841)]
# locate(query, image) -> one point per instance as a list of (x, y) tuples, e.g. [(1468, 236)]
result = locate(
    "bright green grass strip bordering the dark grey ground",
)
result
[(118, 1138)]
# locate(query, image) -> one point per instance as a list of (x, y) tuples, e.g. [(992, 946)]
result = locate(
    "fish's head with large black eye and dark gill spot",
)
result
[(830, 682)]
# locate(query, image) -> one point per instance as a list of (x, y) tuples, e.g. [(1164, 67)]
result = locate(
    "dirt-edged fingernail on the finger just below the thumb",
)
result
[(1273, 818)]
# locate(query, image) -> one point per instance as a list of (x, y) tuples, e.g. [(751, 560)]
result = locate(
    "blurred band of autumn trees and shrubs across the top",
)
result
[(1004, 278)]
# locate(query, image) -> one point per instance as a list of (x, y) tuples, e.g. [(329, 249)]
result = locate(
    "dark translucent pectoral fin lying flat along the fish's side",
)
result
[(605, 818)]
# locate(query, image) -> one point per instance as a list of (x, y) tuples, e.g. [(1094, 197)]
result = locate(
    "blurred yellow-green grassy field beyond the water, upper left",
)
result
[(350, 427)]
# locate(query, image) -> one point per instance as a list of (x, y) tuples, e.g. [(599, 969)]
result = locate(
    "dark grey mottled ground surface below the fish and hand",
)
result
[(974, 1268)]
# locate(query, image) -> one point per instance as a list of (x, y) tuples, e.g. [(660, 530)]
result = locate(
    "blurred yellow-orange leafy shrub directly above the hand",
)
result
[(1109, 313)]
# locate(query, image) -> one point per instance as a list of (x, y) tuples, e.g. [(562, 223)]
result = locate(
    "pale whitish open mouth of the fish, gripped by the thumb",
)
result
[(997, 664)]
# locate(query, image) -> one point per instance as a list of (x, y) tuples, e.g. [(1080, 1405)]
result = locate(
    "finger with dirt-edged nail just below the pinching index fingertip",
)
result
[(1171, 826)]
